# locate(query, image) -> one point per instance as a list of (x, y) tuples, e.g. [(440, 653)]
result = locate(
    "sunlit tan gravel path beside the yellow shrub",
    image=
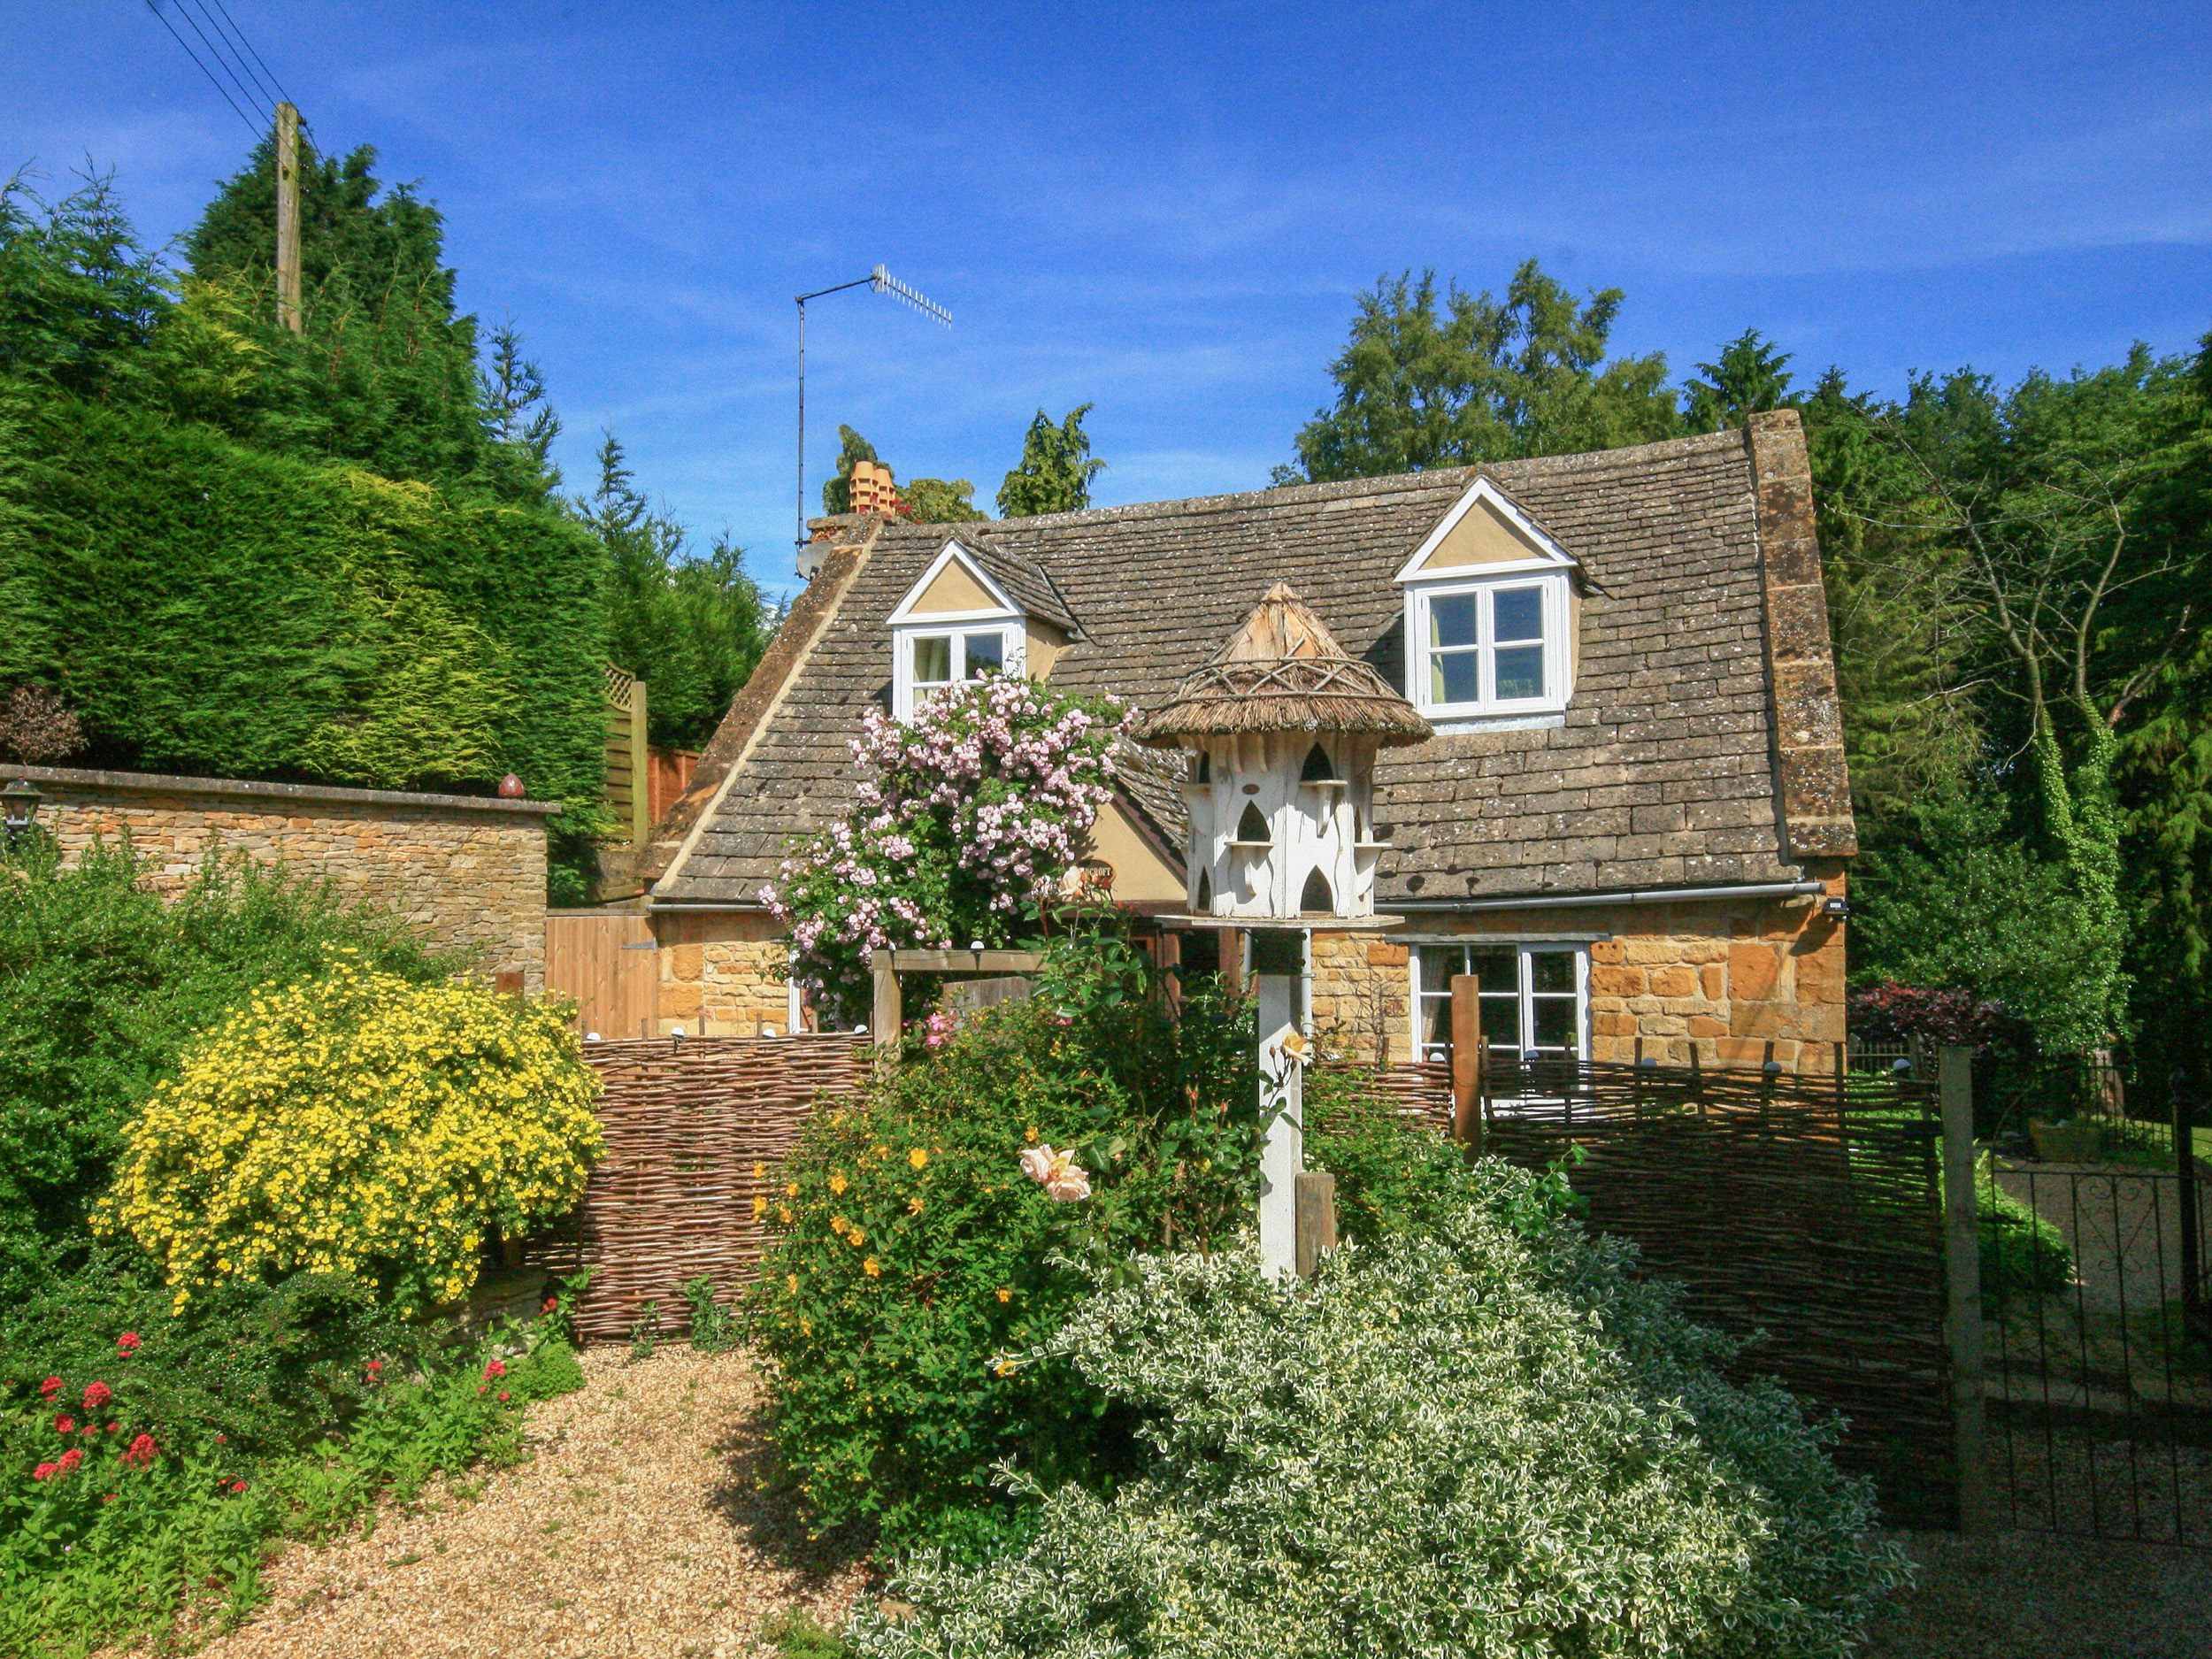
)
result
[(636, 1530)]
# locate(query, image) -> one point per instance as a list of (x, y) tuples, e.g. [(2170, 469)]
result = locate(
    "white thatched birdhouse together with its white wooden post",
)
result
[(1286, 731)]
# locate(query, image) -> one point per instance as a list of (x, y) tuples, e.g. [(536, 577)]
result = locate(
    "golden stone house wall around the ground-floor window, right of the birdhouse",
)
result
[(1720, 977)]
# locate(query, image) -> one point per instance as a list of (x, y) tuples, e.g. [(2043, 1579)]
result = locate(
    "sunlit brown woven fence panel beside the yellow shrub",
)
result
[(687, 1125)]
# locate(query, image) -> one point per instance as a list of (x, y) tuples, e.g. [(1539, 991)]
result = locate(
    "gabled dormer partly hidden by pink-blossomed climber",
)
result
[(972, 614)]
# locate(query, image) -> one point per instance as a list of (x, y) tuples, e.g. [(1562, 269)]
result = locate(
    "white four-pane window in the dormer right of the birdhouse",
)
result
[(1492, 647)]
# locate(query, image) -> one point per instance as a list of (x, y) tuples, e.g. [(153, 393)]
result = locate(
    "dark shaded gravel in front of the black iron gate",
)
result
[(2032, 1596)]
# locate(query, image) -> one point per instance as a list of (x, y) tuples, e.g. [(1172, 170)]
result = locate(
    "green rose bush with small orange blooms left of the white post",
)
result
[(912, 1255)]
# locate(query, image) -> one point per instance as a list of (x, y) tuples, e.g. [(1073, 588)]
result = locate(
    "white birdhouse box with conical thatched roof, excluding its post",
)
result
[(1282, 800)]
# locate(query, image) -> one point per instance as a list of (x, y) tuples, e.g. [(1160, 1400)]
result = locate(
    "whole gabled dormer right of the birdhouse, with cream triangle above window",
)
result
[(1492, 616)]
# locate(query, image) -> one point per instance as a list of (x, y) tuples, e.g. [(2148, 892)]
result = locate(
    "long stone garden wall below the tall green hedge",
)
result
[(466, 873)]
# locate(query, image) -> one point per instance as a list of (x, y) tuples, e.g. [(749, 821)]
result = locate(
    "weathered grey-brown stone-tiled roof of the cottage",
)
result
[(1669, 766)]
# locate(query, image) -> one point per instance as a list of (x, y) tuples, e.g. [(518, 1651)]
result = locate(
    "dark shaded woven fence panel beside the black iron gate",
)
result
[(1784, 1211)]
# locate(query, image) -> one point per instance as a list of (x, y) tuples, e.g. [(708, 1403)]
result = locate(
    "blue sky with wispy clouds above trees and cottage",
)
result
[(1167, 211)]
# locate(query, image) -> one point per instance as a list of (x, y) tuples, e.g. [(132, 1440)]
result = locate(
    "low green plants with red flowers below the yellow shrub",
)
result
[(194, 1463)]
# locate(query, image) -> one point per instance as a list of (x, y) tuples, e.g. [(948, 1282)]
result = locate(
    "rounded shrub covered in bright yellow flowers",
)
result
[(359, 1125)]
